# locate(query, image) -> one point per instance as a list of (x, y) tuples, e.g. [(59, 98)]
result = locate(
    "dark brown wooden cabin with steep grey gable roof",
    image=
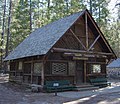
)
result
[(72, 48)]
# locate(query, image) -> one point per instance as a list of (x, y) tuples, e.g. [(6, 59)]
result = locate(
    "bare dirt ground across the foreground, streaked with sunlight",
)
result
[(15, 94)]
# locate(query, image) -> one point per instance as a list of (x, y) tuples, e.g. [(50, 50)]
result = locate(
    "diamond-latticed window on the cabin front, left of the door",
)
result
[(59, 68)]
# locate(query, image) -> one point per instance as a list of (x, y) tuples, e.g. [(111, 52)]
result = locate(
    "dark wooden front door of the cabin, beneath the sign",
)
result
[(79, 72)]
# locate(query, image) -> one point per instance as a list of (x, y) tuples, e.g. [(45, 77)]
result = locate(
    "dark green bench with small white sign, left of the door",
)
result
[(60, 85)]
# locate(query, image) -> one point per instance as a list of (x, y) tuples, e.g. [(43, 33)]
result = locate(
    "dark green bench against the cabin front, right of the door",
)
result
[(101, 82)]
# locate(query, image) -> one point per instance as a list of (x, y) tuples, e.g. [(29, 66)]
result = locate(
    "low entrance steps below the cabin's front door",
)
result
[(86, 87)]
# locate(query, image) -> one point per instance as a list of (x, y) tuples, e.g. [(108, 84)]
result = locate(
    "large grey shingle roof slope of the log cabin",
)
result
[(41, 40)]
